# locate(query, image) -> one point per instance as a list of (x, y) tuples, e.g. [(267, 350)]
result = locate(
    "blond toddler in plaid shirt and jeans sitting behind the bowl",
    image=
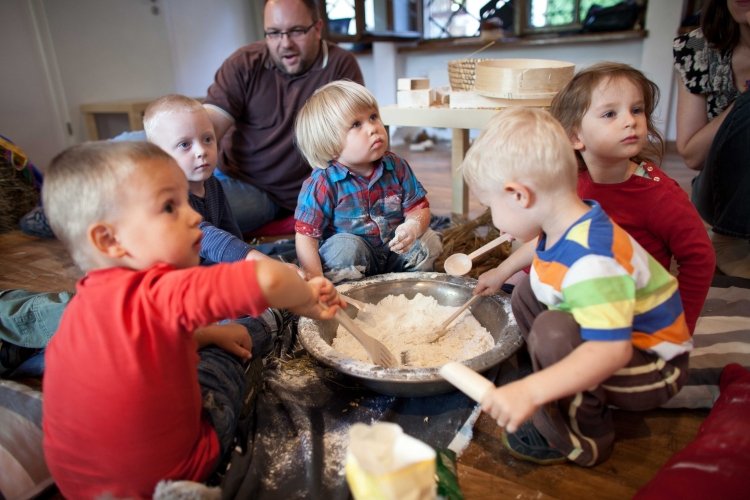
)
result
[(362, 211)]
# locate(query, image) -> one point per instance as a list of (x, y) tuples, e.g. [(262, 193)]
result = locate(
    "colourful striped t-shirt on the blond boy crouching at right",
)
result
[(613, 288)]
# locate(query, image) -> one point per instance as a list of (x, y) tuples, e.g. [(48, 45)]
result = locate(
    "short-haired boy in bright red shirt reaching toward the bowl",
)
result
[(127, 401)]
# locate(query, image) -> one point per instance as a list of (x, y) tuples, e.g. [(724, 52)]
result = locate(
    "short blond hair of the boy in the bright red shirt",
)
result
[(81, 187)]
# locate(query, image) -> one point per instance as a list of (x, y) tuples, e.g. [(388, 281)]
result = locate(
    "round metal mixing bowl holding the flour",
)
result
[(492, 312)]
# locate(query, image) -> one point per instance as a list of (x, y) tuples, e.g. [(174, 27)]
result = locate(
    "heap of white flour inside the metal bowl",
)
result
[(405, 325)]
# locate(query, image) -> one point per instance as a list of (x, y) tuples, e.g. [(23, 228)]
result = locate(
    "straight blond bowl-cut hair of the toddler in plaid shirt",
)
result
[(321, 125)]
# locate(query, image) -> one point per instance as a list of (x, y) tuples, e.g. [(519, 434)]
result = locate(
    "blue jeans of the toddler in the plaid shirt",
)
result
[(349, 257)]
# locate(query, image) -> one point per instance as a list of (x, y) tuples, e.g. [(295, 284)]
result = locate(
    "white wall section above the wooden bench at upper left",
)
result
[(109, 50)]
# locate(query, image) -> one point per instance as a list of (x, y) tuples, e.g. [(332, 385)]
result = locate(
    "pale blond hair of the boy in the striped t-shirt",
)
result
[(521, 144)]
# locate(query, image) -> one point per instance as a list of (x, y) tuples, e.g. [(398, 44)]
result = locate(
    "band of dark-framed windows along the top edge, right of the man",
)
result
[(351, 20)]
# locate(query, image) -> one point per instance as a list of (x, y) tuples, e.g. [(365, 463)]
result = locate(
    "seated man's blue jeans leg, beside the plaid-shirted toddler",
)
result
[(251, 207)]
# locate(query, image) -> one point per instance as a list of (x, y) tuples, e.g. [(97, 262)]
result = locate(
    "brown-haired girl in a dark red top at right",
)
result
[(607, 111)]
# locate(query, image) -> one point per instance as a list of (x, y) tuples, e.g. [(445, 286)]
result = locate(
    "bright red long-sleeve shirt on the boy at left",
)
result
[(122, 405)]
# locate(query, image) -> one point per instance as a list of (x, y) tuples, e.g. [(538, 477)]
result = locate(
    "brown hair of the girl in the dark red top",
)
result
[(572, 102)]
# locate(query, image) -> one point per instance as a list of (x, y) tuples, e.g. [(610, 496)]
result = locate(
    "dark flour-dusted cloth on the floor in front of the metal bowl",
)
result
[(298, 440)]
